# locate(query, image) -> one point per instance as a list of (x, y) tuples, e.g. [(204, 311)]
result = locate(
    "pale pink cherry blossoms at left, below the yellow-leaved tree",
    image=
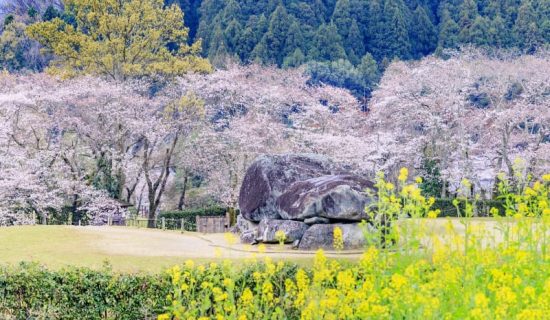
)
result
[(90, 135)]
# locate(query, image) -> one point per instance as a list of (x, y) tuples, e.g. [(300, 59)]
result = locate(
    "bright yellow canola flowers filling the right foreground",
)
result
[(469, 271)]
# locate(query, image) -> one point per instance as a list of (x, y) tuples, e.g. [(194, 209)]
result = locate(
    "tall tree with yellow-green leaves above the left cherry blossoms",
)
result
[(120, 39)]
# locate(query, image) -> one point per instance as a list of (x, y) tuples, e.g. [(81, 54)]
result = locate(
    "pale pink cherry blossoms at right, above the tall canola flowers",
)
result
[(472, 113)]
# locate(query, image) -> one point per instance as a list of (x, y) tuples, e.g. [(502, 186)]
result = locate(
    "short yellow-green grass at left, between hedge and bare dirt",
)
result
[(60, 246)]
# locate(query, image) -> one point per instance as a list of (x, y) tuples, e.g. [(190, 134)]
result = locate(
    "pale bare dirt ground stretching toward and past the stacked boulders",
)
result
[(157, 243)]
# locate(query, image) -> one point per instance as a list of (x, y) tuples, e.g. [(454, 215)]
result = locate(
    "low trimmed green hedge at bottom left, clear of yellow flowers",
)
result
[(29, 291)]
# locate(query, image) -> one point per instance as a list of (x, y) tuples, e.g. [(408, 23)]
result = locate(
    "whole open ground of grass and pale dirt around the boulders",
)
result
[(132, 249)]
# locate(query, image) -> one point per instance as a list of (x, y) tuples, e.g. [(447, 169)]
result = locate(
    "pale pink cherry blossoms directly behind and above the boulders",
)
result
[(254, 110)]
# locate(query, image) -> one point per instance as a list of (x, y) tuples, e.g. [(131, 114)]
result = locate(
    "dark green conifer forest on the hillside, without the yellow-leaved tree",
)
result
[(347, 43)]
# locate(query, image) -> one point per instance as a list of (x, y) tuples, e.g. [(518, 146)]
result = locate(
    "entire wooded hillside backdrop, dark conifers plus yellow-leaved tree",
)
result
[(346, 43)]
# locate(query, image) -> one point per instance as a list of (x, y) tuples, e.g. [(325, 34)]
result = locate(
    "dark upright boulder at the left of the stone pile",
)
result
[(269, 176)]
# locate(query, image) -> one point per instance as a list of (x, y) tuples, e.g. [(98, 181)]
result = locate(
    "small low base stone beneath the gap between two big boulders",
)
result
[(293, 230)]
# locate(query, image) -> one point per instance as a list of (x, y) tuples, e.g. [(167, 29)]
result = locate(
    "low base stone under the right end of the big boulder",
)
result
[(321, 236)]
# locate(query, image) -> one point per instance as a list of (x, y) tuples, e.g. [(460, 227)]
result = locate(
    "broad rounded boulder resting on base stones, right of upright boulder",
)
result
[(335, 197)]
